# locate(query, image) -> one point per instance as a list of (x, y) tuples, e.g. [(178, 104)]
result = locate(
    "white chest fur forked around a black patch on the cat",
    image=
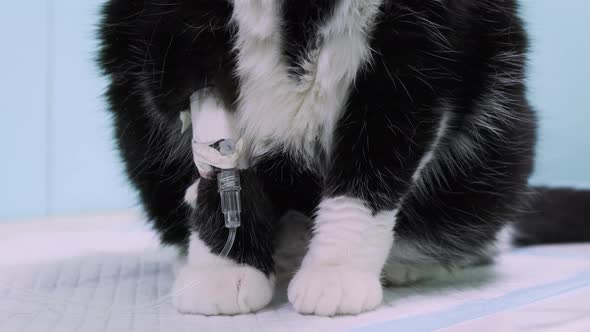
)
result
[(278, 112)]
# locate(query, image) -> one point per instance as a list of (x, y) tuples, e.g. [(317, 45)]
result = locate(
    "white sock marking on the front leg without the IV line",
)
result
[(341, 272)]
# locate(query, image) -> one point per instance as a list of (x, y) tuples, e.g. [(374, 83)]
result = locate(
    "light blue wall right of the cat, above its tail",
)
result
[(559, 89)]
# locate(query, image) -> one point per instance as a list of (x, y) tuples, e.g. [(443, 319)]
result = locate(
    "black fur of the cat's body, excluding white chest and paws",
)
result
[(467, 56)]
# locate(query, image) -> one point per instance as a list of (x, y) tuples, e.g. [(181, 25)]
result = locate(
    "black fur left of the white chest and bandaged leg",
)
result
[(157, 54)]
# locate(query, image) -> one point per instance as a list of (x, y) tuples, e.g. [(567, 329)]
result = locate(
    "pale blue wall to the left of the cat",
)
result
[(55, 137)]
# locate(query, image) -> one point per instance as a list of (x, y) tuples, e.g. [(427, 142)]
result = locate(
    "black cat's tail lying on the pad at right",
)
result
[(556, 215)]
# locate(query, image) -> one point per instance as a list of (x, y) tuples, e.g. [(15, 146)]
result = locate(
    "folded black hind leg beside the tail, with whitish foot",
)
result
[(459, 210)]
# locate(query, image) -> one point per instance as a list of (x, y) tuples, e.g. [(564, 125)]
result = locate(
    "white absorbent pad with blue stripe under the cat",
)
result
[(108, 274)]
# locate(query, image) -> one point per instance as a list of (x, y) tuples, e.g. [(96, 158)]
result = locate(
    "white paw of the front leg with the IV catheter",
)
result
[(221, 290)]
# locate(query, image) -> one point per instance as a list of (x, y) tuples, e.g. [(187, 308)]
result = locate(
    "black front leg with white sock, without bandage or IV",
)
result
[(371, 168)]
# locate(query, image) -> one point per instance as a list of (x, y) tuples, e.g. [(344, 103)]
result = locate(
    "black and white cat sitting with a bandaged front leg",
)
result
[(401, 127)]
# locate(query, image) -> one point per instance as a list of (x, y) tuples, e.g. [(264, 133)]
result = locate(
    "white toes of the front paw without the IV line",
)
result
[(329, 291)]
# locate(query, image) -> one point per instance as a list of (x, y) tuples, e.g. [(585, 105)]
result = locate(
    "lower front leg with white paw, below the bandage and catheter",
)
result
[(242, 282)]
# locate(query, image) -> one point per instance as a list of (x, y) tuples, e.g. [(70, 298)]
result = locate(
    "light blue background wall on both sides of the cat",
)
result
[(56, 145)]
